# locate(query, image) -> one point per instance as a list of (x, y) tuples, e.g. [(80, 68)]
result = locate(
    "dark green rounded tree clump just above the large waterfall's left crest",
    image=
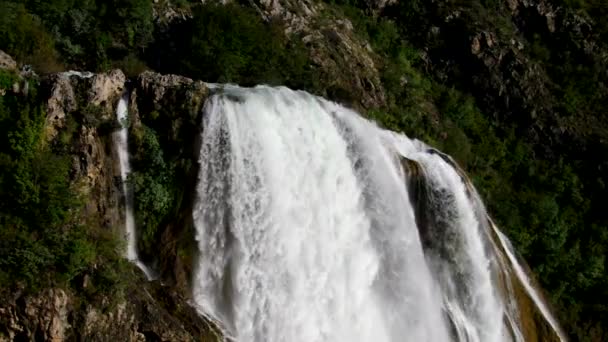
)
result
[(232, 44)]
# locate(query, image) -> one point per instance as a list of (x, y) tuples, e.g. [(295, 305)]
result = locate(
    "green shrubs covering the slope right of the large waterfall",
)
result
[(547, 198)]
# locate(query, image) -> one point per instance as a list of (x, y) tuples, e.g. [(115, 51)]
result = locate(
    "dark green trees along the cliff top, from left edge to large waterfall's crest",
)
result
[(220, 44)]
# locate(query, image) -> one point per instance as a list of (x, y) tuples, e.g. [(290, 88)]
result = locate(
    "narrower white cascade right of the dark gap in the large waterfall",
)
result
[(460, 262)]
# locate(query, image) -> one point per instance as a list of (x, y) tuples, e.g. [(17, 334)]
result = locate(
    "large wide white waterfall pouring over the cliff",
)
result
[(313, 225)]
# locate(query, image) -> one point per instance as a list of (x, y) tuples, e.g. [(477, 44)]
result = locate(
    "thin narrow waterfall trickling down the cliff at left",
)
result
[(122, 147)]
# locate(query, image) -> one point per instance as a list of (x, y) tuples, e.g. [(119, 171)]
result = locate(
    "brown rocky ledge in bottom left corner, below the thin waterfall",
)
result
[(151, 313)]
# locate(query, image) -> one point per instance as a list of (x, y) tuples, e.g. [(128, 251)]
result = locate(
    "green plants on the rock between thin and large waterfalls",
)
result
[(161, 145)]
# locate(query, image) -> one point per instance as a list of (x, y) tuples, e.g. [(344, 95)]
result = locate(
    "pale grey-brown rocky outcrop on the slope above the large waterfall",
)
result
[(346, 63)]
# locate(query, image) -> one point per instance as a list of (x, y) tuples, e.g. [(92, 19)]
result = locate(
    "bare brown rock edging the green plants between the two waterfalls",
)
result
[(172, 106)]
